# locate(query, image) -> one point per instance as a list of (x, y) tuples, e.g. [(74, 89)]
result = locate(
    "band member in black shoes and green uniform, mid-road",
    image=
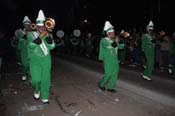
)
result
[(109, 46)]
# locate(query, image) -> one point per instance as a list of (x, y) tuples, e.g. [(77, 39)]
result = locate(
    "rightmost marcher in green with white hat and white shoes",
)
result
[(148, 49)]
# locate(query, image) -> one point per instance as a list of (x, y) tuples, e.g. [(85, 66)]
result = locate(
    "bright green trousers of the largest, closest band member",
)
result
[(40, 73)]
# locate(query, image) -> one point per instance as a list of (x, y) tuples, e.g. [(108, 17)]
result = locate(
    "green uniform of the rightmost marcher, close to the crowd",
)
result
[(148, 49)]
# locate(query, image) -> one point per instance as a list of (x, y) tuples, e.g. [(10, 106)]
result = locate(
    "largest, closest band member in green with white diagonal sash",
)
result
[(39, 47)]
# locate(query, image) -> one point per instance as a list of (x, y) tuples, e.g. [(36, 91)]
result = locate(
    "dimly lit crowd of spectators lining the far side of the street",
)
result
[(87, 45)]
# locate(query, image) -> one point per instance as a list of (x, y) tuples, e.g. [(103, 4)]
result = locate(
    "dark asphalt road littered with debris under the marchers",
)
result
[(74, 92)]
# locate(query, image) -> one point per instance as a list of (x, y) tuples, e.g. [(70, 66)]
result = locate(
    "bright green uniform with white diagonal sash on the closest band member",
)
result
[(40, 64)]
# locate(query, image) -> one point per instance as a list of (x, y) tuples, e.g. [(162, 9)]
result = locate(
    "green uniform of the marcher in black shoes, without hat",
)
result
[(108, 55)]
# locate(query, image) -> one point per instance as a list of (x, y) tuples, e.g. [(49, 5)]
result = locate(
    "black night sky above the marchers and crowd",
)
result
[(69, 13)]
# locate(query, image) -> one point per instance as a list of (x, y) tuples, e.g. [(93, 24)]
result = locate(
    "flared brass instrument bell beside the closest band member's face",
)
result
[(49, 24)]
